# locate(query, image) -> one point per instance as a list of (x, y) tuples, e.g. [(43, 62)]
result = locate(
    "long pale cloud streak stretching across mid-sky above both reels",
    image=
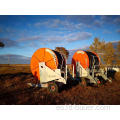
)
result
[(55, 39)]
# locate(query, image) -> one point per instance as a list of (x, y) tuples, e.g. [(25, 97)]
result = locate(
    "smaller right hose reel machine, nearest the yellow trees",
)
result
[(87, 66)]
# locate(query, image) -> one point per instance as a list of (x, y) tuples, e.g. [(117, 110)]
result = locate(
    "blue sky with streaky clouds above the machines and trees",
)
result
[(23, 35)]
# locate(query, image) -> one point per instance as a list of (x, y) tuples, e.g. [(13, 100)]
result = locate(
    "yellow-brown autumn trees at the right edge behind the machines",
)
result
[(106, 51)]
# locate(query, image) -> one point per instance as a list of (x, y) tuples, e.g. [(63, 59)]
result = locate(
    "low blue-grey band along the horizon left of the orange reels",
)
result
[(14, 59)]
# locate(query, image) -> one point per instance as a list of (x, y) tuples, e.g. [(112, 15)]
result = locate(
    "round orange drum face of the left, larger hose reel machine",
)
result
[(43, 55)]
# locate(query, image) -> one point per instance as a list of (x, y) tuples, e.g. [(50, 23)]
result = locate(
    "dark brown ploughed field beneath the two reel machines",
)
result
[(14, 90)]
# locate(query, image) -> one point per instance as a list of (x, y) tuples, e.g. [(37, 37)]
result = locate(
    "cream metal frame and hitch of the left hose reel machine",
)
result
[(48, 75)]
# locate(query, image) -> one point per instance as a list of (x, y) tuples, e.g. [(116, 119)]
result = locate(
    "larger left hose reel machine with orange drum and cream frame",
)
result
[(49, 67)]
